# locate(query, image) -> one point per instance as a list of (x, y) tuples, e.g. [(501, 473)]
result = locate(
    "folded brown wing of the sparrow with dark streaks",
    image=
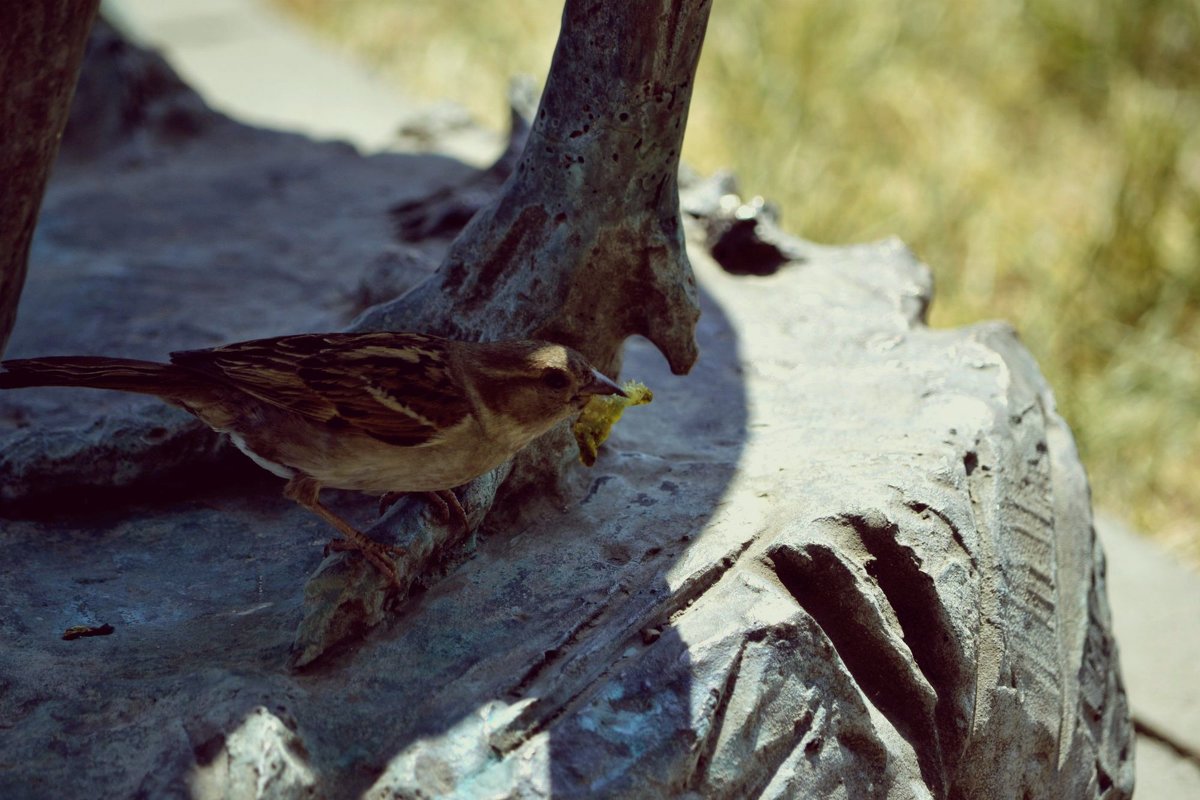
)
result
[(398, 388)]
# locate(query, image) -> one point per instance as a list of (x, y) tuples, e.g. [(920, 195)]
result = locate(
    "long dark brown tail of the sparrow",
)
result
[(100, 372)]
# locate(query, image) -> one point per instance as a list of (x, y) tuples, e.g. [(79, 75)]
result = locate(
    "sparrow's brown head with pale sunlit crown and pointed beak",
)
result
[(537, 384)]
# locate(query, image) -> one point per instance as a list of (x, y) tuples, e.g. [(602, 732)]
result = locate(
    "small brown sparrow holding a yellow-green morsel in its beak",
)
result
[(379, 413)]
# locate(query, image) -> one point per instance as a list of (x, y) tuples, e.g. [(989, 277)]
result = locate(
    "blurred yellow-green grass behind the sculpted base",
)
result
[(1042, 157)]
